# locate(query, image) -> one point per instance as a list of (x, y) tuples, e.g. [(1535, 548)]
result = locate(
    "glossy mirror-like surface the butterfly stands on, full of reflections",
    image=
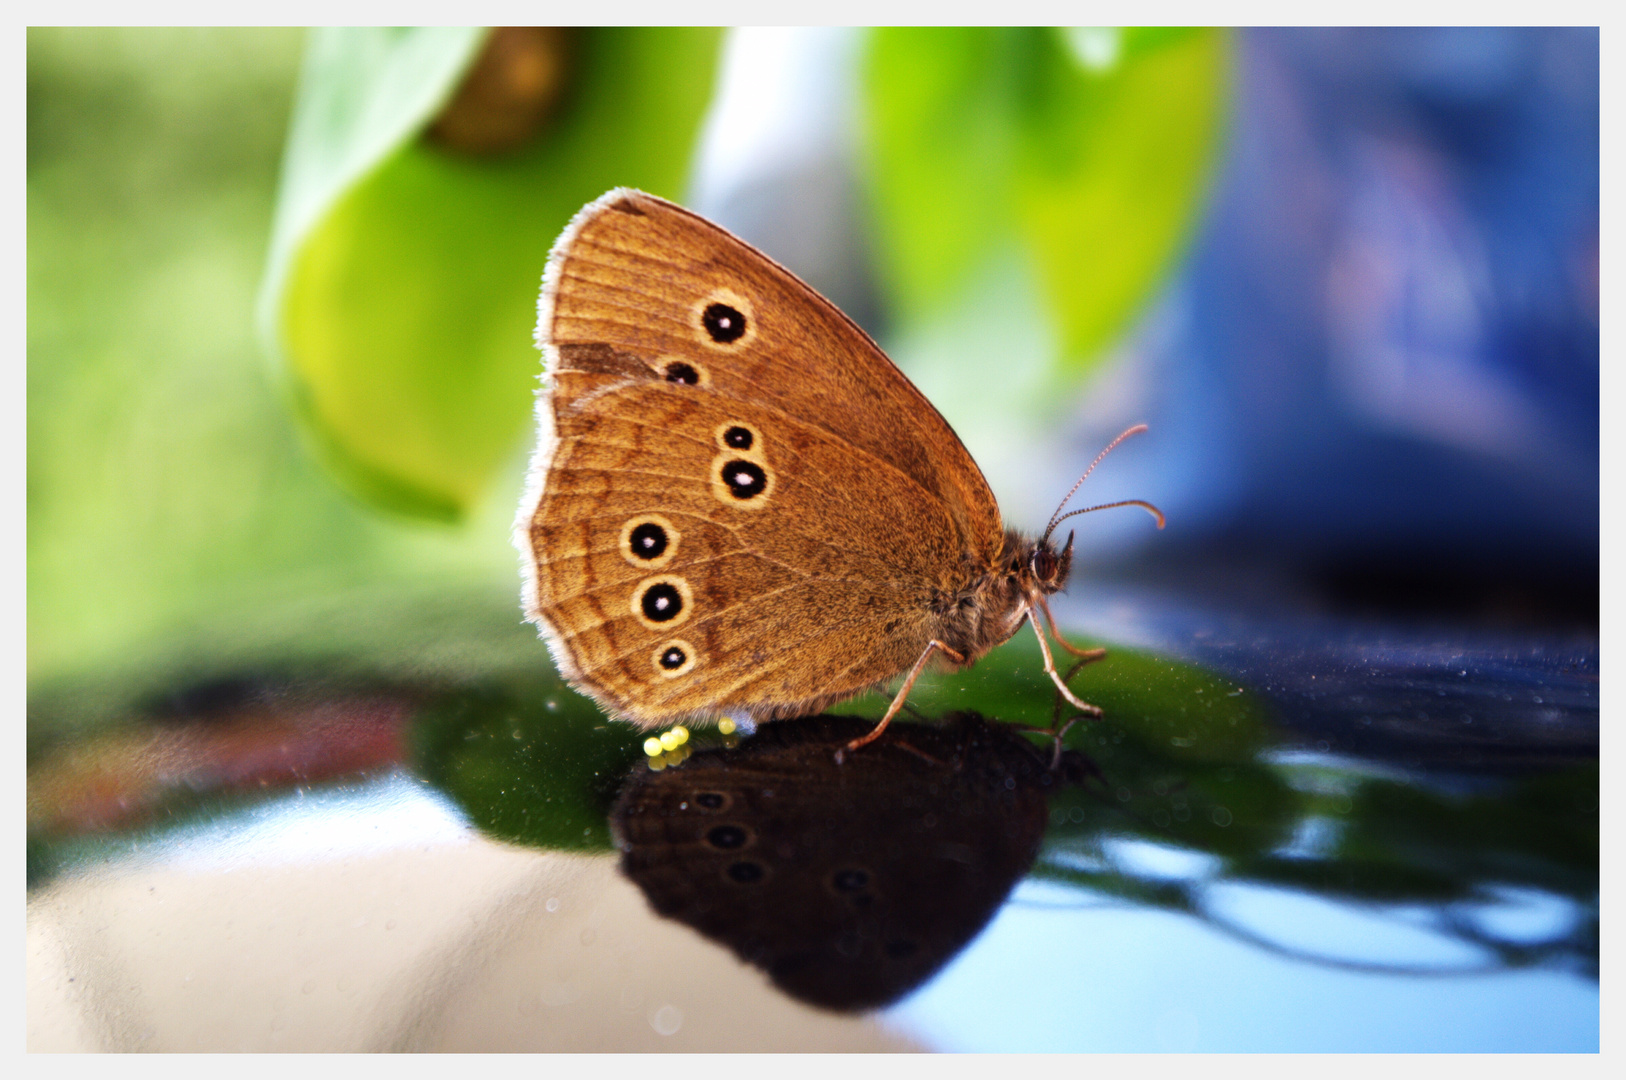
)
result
[(1326, 835)]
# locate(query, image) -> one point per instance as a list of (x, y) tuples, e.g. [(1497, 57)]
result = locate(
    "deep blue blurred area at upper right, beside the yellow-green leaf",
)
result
[(1385, 351)]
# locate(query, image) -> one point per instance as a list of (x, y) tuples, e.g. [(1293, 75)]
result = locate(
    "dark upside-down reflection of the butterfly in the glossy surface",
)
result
[(848, 884)]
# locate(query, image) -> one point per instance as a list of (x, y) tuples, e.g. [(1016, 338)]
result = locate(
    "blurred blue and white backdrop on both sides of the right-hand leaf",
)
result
[(1376, 367)]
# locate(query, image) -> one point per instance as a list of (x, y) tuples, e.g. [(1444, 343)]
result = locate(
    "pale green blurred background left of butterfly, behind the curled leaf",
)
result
[(180, 523)]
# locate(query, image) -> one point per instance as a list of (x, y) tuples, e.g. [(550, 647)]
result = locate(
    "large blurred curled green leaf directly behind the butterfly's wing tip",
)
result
[(402, 285)]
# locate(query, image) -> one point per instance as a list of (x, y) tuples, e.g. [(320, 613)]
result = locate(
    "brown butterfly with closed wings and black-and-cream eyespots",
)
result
[(739, 505)]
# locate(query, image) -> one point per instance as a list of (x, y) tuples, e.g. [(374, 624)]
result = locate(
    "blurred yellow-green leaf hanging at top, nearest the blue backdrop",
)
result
[(1089, 146)]
